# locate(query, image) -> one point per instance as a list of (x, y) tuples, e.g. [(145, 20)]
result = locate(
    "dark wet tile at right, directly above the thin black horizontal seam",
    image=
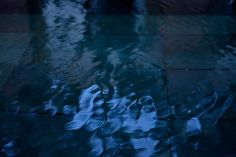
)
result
[(199, 51)]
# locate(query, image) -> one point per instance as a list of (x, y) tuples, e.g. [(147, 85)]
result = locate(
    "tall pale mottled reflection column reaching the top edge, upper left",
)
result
[(65, 21)]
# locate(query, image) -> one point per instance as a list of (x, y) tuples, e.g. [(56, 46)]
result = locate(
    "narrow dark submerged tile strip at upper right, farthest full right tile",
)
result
[(200, 25)]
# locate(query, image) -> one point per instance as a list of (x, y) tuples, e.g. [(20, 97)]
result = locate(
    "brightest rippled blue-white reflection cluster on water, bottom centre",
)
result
[(125, 115)]
